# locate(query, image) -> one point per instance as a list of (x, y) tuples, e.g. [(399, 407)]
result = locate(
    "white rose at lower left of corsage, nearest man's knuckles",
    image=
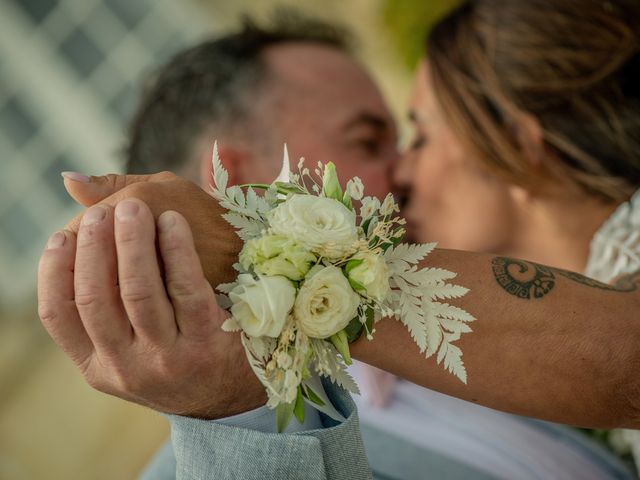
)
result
[(262, 306)]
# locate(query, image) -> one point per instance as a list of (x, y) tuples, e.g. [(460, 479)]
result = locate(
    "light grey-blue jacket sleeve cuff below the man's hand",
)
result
[(203, 449)]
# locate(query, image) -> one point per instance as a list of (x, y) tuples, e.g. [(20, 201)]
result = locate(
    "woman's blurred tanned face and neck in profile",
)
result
[(453, 200)]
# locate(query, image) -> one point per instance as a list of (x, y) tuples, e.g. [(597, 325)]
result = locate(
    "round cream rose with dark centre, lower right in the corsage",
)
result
[(326, 303)]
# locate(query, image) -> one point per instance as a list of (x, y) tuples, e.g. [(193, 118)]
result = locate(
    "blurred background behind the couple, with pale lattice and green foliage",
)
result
[(70, 73)]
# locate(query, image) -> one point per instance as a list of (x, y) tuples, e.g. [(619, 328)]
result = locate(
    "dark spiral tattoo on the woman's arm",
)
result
[(529, 280)]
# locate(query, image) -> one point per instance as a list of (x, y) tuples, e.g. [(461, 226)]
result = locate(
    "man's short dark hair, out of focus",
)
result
[(212, 84)]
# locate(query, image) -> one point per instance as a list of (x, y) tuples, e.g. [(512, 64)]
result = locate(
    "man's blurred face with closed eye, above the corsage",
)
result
[(329, 109)]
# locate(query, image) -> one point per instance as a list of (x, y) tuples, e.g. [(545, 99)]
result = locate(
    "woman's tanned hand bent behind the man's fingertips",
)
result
[(216, 242)]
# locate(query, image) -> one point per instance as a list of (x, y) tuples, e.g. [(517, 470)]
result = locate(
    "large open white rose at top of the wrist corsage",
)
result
[(322, 225)]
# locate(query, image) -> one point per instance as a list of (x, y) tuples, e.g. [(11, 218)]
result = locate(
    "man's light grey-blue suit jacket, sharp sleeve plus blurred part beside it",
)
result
[(207, 450)]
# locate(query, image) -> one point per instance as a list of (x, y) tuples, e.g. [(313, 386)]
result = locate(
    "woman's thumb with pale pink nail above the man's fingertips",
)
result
[(88, 190)]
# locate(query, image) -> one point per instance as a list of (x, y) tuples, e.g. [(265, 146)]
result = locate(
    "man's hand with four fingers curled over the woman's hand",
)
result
[(158, 343)]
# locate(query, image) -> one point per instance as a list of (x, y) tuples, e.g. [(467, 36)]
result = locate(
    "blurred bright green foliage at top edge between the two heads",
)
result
[(409, 22)]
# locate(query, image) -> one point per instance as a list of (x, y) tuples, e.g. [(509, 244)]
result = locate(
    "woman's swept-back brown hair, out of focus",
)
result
[(574, 65)]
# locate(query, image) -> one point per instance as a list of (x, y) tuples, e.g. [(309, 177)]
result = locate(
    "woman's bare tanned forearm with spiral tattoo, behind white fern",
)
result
[(547, 343)]
